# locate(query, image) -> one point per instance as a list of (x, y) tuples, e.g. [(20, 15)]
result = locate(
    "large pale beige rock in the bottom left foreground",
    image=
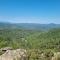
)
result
[(19, 54)]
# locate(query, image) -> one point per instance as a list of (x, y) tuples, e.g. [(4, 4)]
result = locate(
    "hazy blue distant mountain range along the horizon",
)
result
[(29, 26)]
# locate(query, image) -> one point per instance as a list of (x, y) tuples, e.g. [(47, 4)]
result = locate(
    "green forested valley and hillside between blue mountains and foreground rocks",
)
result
[(18, 38)]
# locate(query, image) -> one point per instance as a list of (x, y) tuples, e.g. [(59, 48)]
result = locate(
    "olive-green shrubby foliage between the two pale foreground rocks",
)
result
[(36, 54)]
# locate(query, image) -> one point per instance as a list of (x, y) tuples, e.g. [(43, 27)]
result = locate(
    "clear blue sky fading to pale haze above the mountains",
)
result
[(30, 11)]
